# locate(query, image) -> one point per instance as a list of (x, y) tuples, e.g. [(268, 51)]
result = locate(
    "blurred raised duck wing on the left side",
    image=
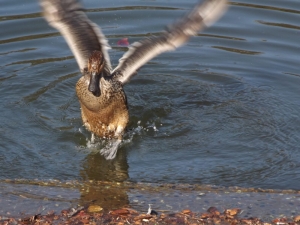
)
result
[(82, 36)]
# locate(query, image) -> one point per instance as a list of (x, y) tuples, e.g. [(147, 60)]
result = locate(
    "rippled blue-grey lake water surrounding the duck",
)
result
[(222, 110)]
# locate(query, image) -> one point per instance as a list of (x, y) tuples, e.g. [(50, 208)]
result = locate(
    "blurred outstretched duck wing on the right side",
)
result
[(201, 16)]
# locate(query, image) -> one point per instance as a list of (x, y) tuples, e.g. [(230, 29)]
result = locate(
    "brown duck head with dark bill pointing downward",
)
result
[(95, 70)]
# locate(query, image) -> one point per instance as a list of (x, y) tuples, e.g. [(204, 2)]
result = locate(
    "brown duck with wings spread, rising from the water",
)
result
[(100, 90)]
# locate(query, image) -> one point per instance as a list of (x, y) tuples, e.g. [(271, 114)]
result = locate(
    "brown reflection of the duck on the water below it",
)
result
[(96, 168)]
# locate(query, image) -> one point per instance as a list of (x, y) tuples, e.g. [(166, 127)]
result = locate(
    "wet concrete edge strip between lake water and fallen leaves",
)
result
[(36, 198)]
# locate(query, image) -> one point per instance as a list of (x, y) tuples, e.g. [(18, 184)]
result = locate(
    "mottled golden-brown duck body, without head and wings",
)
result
[(107, 115)]
